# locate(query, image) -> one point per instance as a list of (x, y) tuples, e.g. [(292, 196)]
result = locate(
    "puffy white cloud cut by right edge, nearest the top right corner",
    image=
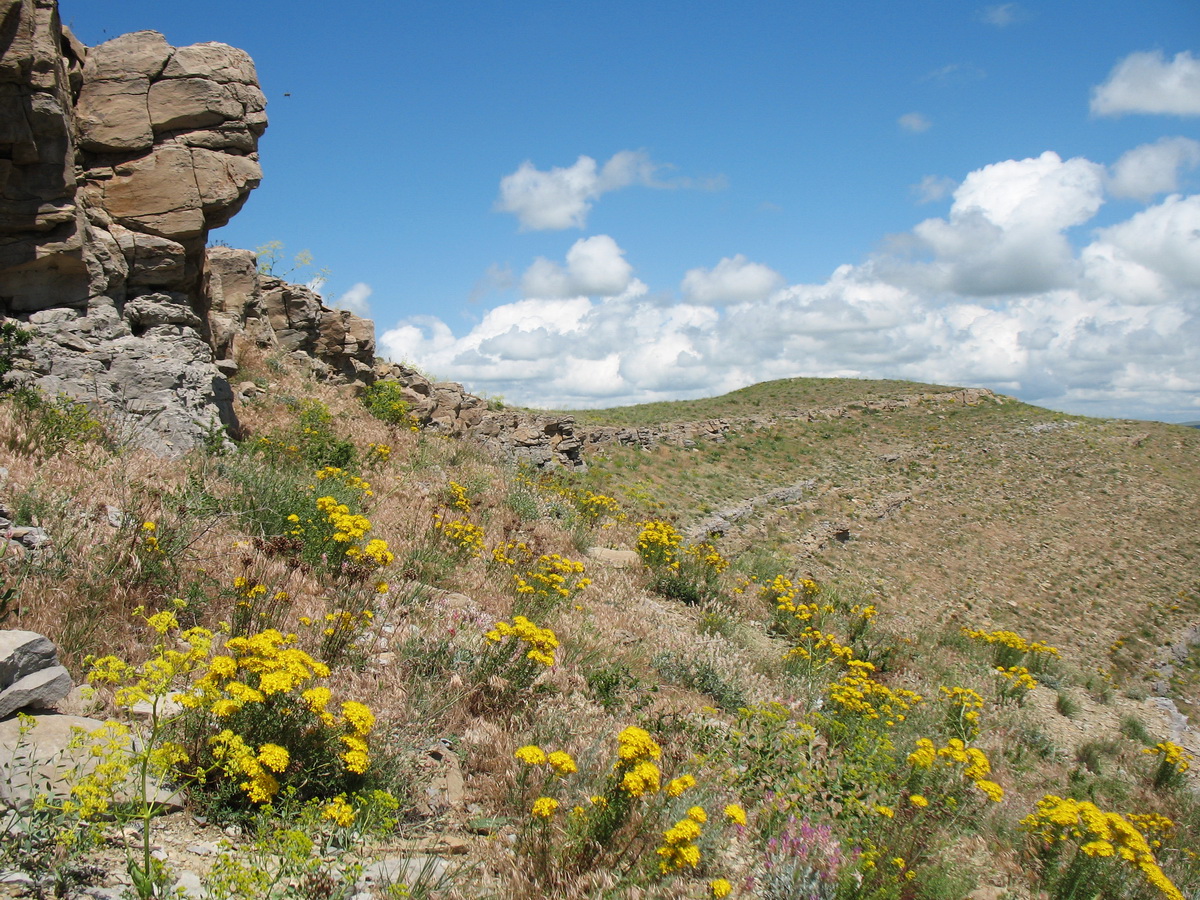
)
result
[(1149, 83)]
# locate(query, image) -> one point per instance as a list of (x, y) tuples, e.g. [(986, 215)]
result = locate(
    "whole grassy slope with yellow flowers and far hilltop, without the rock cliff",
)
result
[(807, 705)]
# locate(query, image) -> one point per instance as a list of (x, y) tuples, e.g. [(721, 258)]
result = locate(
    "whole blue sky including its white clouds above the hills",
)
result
[(589, 205)]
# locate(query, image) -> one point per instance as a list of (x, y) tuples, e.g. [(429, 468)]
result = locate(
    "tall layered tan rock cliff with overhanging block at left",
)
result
[(116, 163)]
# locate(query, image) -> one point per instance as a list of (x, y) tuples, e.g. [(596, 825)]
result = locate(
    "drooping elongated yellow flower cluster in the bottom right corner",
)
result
[(1099, 835)]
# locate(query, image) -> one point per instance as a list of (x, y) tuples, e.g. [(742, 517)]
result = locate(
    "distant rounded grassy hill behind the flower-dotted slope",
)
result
[(999, 508)]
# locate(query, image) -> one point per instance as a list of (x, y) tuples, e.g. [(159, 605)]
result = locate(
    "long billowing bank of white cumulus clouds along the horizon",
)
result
[(997, 296)]
